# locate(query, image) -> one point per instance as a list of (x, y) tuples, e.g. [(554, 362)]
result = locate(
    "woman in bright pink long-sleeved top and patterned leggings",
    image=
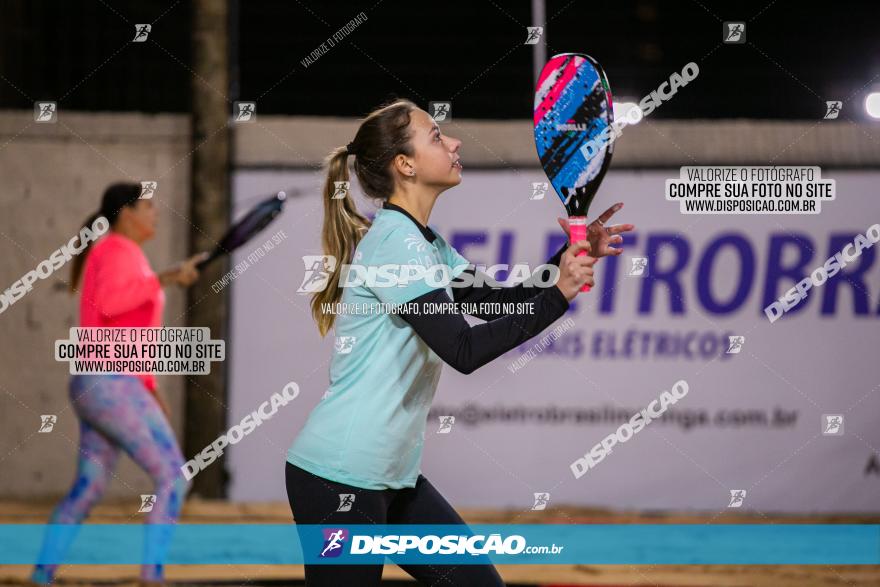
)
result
[(121, 412)]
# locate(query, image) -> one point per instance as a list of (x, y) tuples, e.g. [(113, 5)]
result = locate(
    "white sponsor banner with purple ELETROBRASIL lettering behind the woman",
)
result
[(685, 302)]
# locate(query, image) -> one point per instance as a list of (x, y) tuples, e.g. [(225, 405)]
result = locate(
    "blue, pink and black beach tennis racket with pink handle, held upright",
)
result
[(573, 109)]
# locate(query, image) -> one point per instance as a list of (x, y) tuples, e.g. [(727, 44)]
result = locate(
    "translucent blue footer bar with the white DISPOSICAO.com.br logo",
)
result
[(631, 544)]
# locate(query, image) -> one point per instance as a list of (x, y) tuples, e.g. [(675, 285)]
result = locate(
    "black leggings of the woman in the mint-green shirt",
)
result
[(314, 500)]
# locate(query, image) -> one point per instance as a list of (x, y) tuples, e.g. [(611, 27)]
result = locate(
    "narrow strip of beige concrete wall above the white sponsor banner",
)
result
[(272, 141)]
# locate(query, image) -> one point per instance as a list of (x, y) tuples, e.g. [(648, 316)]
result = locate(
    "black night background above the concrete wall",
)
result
[(797, 55)]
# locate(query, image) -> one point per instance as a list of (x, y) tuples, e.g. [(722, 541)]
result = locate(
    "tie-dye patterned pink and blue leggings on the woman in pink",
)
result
[(117, 412)]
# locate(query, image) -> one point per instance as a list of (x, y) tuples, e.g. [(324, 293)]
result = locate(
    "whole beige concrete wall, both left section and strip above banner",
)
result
[(53, 176)]
